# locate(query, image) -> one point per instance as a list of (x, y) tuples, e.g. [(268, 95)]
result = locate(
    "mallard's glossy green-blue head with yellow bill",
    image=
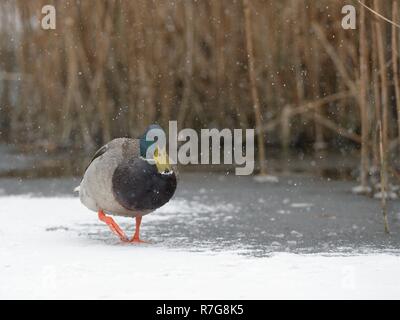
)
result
[(160, 155)]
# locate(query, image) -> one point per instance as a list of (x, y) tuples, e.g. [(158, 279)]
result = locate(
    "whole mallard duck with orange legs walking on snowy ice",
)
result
[(121, 181)]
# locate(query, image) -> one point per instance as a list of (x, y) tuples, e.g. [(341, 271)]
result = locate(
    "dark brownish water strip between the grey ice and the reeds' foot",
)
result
[(15, 163)]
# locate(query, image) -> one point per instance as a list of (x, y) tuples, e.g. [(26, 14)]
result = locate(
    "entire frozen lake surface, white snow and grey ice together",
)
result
[(300, 238)]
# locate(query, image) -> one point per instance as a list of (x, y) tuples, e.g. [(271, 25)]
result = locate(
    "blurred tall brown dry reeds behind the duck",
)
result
[(112, 67)]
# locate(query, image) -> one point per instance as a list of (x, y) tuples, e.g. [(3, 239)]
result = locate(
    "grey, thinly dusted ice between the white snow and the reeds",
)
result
[(216, 212)]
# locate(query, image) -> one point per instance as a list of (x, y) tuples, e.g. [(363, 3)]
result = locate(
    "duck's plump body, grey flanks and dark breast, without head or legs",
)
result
[(112, 182)]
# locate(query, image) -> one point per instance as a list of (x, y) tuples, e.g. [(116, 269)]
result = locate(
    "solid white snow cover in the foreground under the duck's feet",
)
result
[(55, 248)]
